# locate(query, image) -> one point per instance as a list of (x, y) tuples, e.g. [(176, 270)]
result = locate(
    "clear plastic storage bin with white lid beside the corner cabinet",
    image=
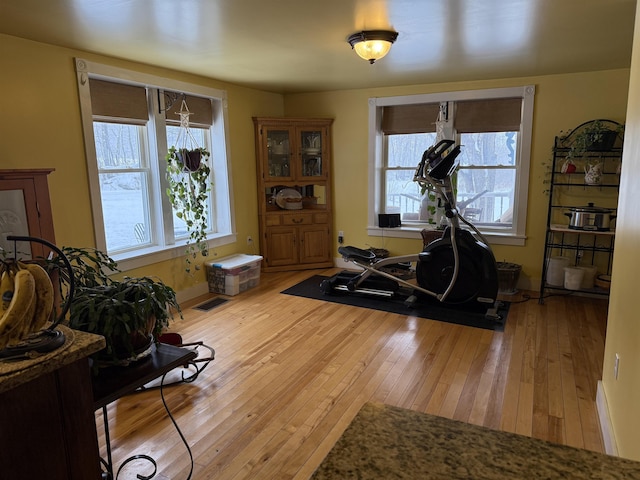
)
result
[(234, 274)]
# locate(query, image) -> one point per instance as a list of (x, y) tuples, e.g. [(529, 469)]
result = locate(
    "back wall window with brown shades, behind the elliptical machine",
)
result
[(494, 129)]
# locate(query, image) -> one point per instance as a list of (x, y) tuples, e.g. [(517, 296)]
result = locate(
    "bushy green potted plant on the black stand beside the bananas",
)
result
[(130, 314)]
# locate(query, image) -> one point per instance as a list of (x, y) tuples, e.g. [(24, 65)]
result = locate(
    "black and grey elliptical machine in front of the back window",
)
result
[(456, 269)]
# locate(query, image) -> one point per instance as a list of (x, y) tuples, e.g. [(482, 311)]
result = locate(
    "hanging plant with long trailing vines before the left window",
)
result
[(188, 177)]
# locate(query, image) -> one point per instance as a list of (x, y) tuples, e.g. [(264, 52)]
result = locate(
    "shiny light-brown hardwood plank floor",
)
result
[(290, 374)]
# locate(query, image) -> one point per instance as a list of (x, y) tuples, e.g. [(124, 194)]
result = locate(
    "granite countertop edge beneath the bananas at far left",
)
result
[(77, 345)]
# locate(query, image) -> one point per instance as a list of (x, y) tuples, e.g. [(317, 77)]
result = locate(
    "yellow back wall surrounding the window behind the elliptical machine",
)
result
[(561, 103)]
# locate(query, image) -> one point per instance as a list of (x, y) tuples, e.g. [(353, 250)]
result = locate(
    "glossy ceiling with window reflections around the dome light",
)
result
[(300, 45)]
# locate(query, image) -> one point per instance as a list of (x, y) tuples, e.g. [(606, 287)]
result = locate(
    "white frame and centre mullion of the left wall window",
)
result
[(164, 246)]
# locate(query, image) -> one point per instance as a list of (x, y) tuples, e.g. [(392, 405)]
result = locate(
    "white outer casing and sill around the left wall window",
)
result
[(223, 191)]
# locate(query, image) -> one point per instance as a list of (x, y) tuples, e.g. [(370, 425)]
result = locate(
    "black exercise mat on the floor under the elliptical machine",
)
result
[(310, 288)]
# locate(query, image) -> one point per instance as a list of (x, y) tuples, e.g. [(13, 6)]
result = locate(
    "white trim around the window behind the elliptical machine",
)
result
[(376, 160)]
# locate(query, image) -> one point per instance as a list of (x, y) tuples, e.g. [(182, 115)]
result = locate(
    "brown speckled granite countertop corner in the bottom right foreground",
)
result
[(384, 442)]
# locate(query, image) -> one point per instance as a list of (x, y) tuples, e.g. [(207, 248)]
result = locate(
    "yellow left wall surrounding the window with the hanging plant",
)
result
[(41, 127)]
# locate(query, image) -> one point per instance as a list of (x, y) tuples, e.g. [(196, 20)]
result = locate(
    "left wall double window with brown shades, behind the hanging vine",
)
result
[(128, 126)]
